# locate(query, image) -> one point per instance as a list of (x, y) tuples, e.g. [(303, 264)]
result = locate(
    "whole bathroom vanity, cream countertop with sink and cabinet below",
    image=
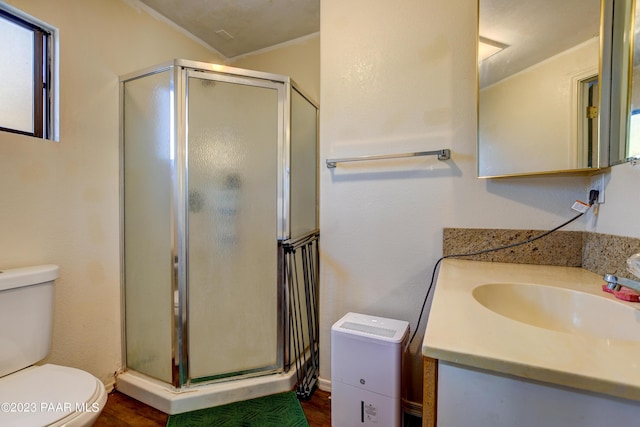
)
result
[(529, 345)]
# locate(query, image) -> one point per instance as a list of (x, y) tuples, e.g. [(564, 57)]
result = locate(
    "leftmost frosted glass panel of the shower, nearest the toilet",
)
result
[(147, 173)]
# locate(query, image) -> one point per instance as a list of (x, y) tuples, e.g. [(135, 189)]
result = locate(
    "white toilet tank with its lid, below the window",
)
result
[(26, 315)]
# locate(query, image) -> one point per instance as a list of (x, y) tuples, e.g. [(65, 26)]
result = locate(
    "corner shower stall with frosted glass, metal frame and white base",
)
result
[(218, 170)]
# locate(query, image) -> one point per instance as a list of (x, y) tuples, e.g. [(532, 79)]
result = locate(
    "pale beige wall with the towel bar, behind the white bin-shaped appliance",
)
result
[(401, 78)]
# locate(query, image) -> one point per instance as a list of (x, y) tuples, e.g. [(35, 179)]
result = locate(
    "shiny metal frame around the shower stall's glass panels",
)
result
[(179, 201)]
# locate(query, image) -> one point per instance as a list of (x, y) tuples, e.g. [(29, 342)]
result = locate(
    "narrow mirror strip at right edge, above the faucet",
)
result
[(629, 147)]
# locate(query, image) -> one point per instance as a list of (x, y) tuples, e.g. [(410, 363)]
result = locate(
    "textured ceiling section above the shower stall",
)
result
[(238, 27)]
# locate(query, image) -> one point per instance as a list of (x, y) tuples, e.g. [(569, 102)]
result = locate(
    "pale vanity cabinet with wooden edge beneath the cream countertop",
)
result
[(467, 396)]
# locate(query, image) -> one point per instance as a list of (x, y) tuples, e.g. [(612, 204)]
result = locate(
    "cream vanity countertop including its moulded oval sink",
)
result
[(545, 323)]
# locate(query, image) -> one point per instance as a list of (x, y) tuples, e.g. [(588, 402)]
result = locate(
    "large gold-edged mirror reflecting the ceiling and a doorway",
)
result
[(538, 102)]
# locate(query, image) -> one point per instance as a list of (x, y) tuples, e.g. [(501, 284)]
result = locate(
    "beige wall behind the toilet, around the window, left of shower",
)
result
[(60, 201)]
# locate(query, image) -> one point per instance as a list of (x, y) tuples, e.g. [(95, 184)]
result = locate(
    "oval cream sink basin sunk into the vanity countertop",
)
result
[(561, 310)]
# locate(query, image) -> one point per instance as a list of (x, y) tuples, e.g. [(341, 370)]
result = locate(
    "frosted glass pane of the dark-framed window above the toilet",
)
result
[(16, 77)]
